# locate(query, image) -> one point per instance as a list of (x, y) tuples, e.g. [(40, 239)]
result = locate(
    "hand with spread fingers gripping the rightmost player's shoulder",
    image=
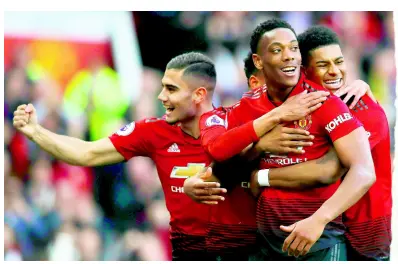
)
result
[(357, 89)]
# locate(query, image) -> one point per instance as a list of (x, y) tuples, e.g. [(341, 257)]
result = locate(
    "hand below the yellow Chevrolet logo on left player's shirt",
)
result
[(201, 191)]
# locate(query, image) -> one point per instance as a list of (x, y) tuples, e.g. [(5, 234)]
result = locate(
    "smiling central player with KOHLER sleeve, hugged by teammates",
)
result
[(277, 55)]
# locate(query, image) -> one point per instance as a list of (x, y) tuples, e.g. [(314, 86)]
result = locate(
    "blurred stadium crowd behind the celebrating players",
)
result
[(88, 74)]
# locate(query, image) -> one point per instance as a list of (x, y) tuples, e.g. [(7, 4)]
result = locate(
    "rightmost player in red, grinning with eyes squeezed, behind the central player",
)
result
[(368, 222)]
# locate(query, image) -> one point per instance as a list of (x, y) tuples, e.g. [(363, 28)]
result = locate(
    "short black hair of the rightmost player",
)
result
[(315, 37)]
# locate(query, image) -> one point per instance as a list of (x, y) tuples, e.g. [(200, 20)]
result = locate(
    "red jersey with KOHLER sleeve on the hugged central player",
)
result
[(284, 206)]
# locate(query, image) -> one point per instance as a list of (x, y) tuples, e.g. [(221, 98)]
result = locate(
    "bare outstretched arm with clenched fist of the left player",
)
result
[(68, 149)]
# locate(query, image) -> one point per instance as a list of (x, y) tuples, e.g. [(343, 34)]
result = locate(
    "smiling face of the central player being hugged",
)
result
[(279, 58)]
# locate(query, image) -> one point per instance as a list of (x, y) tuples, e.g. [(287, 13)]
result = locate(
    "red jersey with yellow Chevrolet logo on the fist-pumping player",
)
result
[(177, 156)]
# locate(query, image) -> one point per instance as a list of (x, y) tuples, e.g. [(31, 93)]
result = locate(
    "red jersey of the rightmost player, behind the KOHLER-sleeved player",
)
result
[(369, 220)]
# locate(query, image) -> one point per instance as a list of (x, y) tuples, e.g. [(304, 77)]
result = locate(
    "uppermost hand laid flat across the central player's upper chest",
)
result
[(299, 106)]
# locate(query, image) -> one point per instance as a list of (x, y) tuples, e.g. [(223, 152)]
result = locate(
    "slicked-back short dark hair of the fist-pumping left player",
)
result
[(195, 64)]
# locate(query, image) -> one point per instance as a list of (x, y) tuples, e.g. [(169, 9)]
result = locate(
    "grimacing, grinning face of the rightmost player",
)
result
[(326, 67)]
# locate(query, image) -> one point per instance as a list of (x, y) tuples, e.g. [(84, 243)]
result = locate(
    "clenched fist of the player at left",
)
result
[(25, 120)]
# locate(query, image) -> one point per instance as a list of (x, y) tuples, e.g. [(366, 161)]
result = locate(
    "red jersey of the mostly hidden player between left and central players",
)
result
[(232, 223)]
